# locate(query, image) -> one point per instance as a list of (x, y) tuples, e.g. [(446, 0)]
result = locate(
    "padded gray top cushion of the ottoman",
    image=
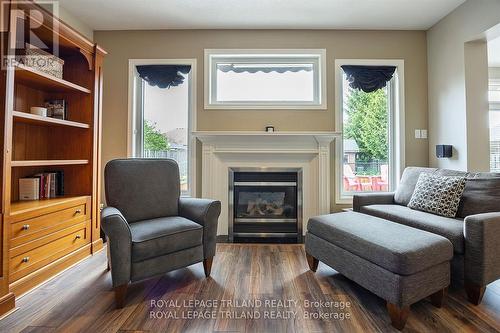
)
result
[(393, 246)]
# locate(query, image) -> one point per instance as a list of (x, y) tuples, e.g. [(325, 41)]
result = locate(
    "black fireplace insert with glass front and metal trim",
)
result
[(265, 203)]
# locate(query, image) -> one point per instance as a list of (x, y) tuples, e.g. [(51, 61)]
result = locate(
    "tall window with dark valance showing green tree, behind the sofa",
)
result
[(371, 152)]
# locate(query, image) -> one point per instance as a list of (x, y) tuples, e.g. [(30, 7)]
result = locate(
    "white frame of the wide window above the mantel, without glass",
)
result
[(316, 56)]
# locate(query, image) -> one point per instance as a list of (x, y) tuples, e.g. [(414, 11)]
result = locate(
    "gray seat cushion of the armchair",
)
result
[(152, 238)]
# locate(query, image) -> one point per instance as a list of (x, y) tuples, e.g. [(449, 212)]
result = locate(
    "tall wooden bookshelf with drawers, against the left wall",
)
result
[(57, 232)]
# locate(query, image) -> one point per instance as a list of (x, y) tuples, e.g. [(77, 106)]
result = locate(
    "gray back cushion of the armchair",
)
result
[(143, 188)]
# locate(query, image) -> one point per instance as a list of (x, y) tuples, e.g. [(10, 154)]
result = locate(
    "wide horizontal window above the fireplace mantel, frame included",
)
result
[(265, 79)]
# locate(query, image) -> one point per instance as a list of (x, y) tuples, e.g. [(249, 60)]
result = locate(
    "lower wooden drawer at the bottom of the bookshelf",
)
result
[(35, 255)]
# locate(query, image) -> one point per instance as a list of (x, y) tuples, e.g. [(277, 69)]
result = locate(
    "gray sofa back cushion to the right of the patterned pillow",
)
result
[(481, 194)]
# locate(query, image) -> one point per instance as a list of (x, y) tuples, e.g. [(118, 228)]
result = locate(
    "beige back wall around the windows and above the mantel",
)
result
[(124, 45)]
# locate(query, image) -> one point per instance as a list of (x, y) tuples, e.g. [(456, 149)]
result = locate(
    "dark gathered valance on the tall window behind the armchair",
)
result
[(163, 76)]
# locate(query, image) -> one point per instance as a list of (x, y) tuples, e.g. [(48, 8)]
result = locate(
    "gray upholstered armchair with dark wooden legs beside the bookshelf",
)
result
[(150, 229)]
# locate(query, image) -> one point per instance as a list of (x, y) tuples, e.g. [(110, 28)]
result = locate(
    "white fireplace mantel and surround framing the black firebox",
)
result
[(308, 151)]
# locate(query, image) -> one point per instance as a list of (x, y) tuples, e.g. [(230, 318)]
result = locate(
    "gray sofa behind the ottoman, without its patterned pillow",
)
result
[(474, 233)]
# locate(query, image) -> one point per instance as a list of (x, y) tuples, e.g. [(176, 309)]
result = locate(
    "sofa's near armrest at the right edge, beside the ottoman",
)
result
[(482, 248)]
